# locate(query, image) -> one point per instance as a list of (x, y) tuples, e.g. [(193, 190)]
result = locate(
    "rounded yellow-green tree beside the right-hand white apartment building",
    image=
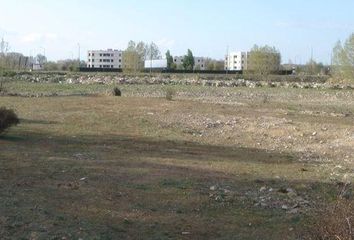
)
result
[(263, 60)]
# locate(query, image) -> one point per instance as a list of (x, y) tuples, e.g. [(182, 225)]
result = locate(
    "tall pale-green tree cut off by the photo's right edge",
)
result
[(343, 60)]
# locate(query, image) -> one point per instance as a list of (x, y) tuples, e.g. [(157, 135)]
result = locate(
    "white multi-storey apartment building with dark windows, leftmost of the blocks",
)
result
[(105, 59)]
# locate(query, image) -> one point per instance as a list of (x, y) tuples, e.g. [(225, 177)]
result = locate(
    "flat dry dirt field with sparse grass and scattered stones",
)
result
[(213, 163)]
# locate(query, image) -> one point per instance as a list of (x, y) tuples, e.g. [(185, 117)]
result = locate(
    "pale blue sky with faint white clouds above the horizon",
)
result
[(207, 27)]
